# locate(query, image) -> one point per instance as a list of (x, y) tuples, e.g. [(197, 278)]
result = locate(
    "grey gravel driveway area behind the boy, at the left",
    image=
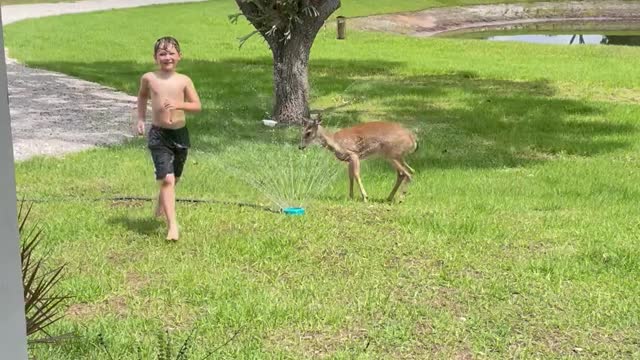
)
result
[(53, 114)]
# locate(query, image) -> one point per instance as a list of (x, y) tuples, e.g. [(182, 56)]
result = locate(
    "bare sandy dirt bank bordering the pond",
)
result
[(436, 21)]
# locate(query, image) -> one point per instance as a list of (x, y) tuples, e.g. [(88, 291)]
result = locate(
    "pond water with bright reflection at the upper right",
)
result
[(562, 33)]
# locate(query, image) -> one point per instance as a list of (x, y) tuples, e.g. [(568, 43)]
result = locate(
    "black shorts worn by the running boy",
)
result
[(169, 148)]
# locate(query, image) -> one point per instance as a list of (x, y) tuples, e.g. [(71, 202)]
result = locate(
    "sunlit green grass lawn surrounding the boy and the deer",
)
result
[(518, 237)]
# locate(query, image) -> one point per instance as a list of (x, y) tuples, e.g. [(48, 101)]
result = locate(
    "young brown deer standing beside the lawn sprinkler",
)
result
[(388, 140)]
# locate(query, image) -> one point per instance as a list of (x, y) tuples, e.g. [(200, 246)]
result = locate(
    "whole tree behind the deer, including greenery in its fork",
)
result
[(289, 28)]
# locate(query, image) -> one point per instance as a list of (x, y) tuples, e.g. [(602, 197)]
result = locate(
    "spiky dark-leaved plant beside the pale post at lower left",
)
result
[(43, 304)]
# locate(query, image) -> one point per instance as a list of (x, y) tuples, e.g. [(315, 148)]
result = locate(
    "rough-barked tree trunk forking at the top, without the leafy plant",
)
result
[(291, 58)]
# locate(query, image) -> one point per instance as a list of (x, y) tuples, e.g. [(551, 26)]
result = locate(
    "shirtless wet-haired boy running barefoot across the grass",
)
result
[(172, 94)]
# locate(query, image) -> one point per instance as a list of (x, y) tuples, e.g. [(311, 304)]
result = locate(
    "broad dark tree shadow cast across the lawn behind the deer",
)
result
[(461, 120)]
